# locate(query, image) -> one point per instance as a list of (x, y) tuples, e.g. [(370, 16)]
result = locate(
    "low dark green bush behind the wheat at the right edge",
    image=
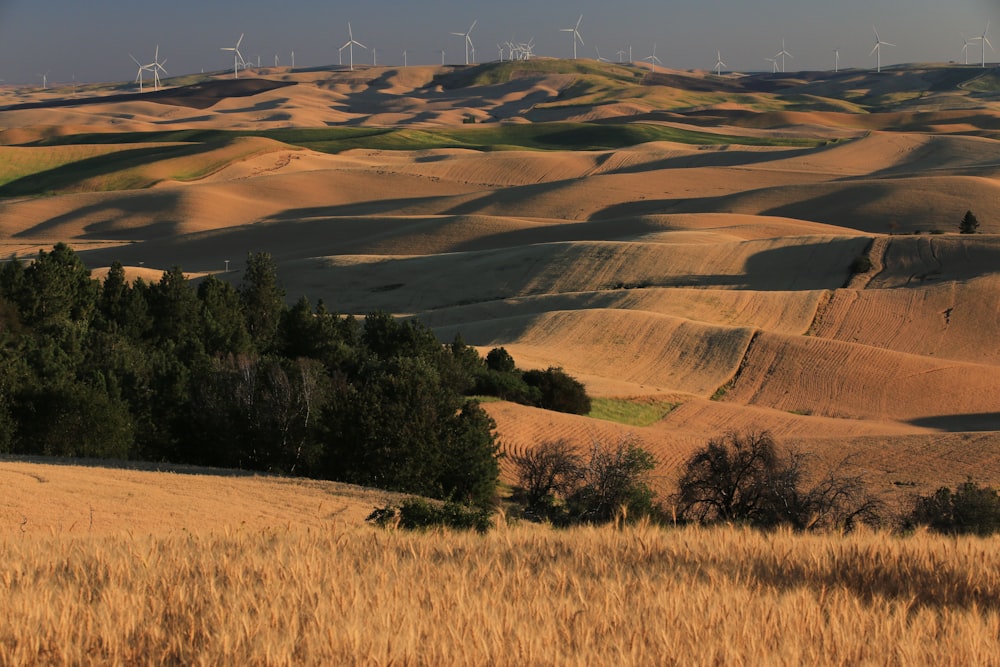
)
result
[(970, 508)]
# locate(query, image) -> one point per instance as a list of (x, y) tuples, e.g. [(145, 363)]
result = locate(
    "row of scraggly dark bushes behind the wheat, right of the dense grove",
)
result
[(740, 478)]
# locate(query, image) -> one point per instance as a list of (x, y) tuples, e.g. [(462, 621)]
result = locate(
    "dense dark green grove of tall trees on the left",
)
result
[(223, 376)]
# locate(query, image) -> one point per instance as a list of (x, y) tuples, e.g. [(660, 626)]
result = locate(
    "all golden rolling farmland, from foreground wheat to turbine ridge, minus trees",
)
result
[(706, 269)]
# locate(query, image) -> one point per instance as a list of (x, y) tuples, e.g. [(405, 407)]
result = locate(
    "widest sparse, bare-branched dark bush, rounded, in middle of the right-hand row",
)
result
[(743, 478)]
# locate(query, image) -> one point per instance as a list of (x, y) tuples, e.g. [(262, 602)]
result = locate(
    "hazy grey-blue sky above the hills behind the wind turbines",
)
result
[(90, 40)]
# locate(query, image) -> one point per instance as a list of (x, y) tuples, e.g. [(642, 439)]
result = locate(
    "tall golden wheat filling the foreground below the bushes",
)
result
[(520, 595)]
